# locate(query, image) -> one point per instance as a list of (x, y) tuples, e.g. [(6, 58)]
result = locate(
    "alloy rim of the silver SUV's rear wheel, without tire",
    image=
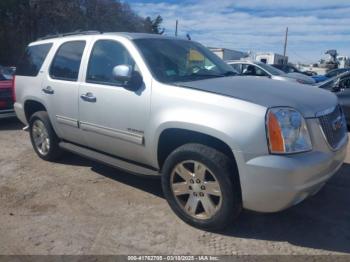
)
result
[(41, 137)]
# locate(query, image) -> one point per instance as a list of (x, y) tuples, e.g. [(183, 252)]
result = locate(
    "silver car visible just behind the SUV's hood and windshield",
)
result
[(254, 68)]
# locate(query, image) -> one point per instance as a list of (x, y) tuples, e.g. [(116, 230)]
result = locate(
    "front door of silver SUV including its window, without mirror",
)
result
[(113, 119)]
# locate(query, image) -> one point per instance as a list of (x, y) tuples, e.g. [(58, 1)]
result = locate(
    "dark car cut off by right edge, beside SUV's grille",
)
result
[(340, 85)]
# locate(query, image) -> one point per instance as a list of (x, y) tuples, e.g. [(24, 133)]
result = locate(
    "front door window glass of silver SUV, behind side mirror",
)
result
[(105, 55)]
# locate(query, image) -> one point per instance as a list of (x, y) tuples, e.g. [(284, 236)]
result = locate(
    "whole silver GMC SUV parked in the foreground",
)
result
[(157, 105)]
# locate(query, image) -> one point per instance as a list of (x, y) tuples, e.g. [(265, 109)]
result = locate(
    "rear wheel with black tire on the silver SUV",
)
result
[(40, 121)]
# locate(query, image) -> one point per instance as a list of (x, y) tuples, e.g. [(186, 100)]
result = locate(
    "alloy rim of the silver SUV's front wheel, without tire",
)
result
[(196, 189)]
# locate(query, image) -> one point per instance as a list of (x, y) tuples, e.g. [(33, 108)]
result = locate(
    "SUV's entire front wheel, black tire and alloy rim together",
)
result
[(190, 200)]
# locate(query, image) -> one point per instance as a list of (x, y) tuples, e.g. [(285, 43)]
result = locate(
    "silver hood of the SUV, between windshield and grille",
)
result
[(308, 100)]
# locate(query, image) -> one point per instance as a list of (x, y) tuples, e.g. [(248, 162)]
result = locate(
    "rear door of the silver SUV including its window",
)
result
[(61, 87)]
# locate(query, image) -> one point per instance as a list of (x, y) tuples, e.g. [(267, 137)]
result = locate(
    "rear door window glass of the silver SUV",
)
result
[(66, 63)]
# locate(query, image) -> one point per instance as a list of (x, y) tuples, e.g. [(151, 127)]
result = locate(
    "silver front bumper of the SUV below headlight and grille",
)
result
[(272, 183)]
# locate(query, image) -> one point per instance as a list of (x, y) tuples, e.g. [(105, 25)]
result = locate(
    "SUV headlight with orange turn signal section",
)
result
[(287, 131)]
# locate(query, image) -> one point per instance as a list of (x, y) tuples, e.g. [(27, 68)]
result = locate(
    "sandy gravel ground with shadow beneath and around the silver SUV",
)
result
[(77, 206)]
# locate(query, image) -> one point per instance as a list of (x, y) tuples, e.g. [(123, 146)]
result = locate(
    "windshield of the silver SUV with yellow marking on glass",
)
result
[(181, 60)]
